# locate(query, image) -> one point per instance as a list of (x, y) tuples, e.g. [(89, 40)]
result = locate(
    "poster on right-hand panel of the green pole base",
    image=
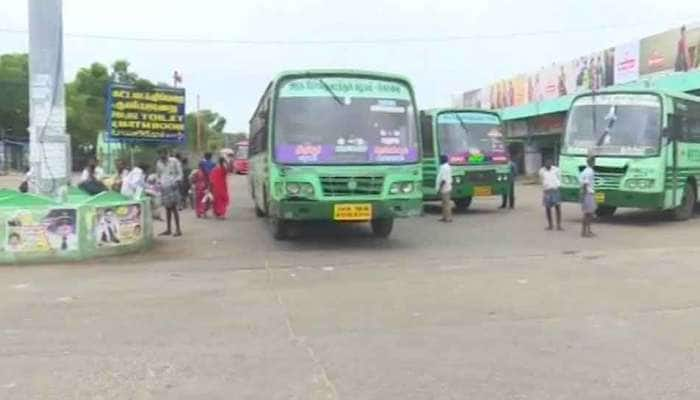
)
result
[(118, 225)]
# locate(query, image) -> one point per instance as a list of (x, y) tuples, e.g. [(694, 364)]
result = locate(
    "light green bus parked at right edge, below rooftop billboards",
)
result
[(647, 148)]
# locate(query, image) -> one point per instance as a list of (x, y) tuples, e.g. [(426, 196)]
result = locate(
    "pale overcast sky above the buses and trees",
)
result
[(230, 77)]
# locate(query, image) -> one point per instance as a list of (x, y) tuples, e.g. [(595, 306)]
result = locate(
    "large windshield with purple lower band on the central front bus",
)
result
[(332, 120)]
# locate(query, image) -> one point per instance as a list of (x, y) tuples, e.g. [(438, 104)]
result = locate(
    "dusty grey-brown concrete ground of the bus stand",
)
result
[(489, 307)]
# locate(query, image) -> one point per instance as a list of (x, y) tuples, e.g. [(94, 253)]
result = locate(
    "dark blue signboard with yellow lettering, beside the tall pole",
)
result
[(145, 115)]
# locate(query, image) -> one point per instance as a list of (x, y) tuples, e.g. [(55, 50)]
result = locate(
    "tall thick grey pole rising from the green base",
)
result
[(49, 145)]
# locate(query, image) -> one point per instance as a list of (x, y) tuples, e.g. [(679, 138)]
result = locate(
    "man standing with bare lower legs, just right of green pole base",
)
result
[(169, 172)]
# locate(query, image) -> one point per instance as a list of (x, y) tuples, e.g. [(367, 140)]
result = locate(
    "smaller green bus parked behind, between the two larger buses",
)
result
[(473, 142)]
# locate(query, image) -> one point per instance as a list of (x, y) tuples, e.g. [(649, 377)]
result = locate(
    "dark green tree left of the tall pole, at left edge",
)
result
[(14, 95)]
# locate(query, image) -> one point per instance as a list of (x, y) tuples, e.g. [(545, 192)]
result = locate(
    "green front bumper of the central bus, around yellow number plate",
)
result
[(307, 210)]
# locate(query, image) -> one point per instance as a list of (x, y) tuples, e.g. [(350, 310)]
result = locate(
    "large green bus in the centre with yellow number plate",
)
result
[(335, 145)]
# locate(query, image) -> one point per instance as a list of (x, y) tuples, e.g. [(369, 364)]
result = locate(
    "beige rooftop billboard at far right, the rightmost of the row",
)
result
[(674, 50)]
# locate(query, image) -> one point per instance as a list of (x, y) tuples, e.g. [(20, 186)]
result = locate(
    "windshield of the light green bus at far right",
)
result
[(614, 124)]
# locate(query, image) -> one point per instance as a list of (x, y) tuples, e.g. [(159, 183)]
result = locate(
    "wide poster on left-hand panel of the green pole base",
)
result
[(54, 230)]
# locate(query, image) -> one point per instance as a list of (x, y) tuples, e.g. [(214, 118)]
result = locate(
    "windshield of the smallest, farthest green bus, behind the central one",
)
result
[(470, 137)]
